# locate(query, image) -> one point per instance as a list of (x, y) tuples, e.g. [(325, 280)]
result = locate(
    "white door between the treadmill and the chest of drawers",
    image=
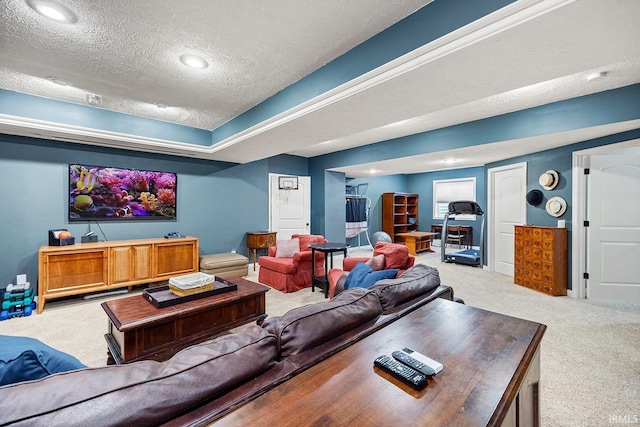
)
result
[(507, 199)]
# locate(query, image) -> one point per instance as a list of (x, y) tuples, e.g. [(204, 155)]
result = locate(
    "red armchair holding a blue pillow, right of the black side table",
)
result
[(395, 256)]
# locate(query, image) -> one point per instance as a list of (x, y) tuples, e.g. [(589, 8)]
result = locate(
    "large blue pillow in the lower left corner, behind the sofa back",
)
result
[(24, 359)]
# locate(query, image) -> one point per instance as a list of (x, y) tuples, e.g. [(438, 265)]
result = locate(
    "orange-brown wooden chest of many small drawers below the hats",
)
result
[(540, 259)]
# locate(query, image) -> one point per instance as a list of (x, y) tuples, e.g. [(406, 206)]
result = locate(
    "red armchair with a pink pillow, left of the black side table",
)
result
[(290, 274)]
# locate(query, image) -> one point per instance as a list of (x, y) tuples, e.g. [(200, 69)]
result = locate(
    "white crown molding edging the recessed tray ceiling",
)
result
[(512, 15)]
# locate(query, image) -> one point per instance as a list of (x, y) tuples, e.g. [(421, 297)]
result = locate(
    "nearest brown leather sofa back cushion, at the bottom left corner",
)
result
[(141, 393)]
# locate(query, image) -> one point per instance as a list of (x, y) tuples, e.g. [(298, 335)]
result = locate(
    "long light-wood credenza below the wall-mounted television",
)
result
[(94, 267)]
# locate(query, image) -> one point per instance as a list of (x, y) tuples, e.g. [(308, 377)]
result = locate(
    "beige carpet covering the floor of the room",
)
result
[(590, 351)]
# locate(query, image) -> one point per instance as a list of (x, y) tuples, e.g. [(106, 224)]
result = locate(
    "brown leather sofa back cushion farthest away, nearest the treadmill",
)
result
[(418, 280)]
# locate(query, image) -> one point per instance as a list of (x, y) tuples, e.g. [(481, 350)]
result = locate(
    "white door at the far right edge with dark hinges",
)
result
[(613, 235)]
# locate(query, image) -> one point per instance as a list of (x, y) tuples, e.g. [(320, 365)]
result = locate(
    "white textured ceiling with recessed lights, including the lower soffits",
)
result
[(530, 53)]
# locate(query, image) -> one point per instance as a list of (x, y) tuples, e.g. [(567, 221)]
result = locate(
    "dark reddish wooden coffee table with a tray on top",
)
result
[(140, 331)]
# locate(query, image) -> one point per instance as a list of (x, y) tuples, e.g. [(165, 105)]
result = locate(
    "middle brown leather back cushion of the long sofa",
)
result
[(306, 327)]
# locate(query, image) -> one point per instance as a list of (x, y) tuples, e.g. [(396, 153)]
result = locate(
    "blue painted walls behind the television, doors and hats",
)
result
[(218, 202)]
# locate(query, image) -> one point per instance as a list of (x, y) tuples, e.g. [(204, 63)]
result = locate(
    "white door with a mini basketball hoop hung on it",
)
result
[(289, 209)]
